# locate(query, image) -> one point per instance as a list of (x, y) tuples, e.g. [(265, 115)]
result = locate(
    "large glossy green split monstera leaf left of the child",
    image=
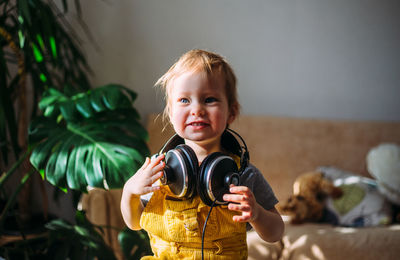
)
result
[(89, 139)]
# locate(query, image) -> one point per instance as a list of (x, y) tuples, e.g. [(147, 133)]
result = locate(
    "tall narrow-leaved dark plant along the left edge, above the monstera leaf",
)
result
[(38, 50)]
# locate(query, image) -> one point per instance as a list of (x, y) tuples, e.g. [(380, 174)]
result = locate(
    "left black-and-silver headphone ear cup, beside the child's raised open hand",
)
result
[(180, 171)]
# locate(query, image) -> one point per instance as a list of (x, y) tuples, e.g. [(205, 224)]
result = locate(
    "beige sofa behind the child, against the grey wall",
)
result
[(282, 148)]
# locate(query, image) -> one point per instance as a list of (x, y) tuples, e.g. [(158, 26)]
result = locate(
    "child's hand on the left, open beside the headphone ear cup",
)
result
[(141, 183)]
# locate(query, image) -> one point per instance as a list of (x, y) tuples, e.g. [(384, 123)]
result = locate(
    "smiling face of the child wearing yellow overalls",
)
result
[(199, 107)]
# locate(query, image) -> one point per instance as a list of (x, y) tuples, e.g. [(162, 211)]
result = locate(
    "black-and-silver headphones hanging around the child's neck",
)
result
[(211, 180)]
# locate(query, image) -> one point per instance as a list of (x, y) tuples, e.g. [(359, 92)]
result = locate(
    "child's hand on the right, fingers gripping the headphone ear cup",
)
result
[(244, 202)]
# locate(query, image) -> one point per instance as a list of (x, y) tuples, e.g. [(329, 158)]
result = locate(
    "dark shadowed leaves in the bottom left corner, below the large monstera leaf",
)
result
[(64, 241)]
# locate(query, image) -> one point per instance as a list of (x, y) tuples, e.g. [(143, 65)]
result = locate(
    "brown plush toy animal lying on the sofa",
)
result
[(309, 193)]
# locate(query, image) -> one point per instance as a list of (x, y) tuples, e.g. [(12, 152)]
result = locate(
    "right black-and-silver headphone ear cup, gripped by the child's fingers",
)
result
[(217, 172)]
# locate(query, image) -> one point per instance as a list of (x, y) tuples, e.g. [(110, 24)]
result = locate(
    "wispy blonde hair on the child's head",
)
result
[(201, 61)]
